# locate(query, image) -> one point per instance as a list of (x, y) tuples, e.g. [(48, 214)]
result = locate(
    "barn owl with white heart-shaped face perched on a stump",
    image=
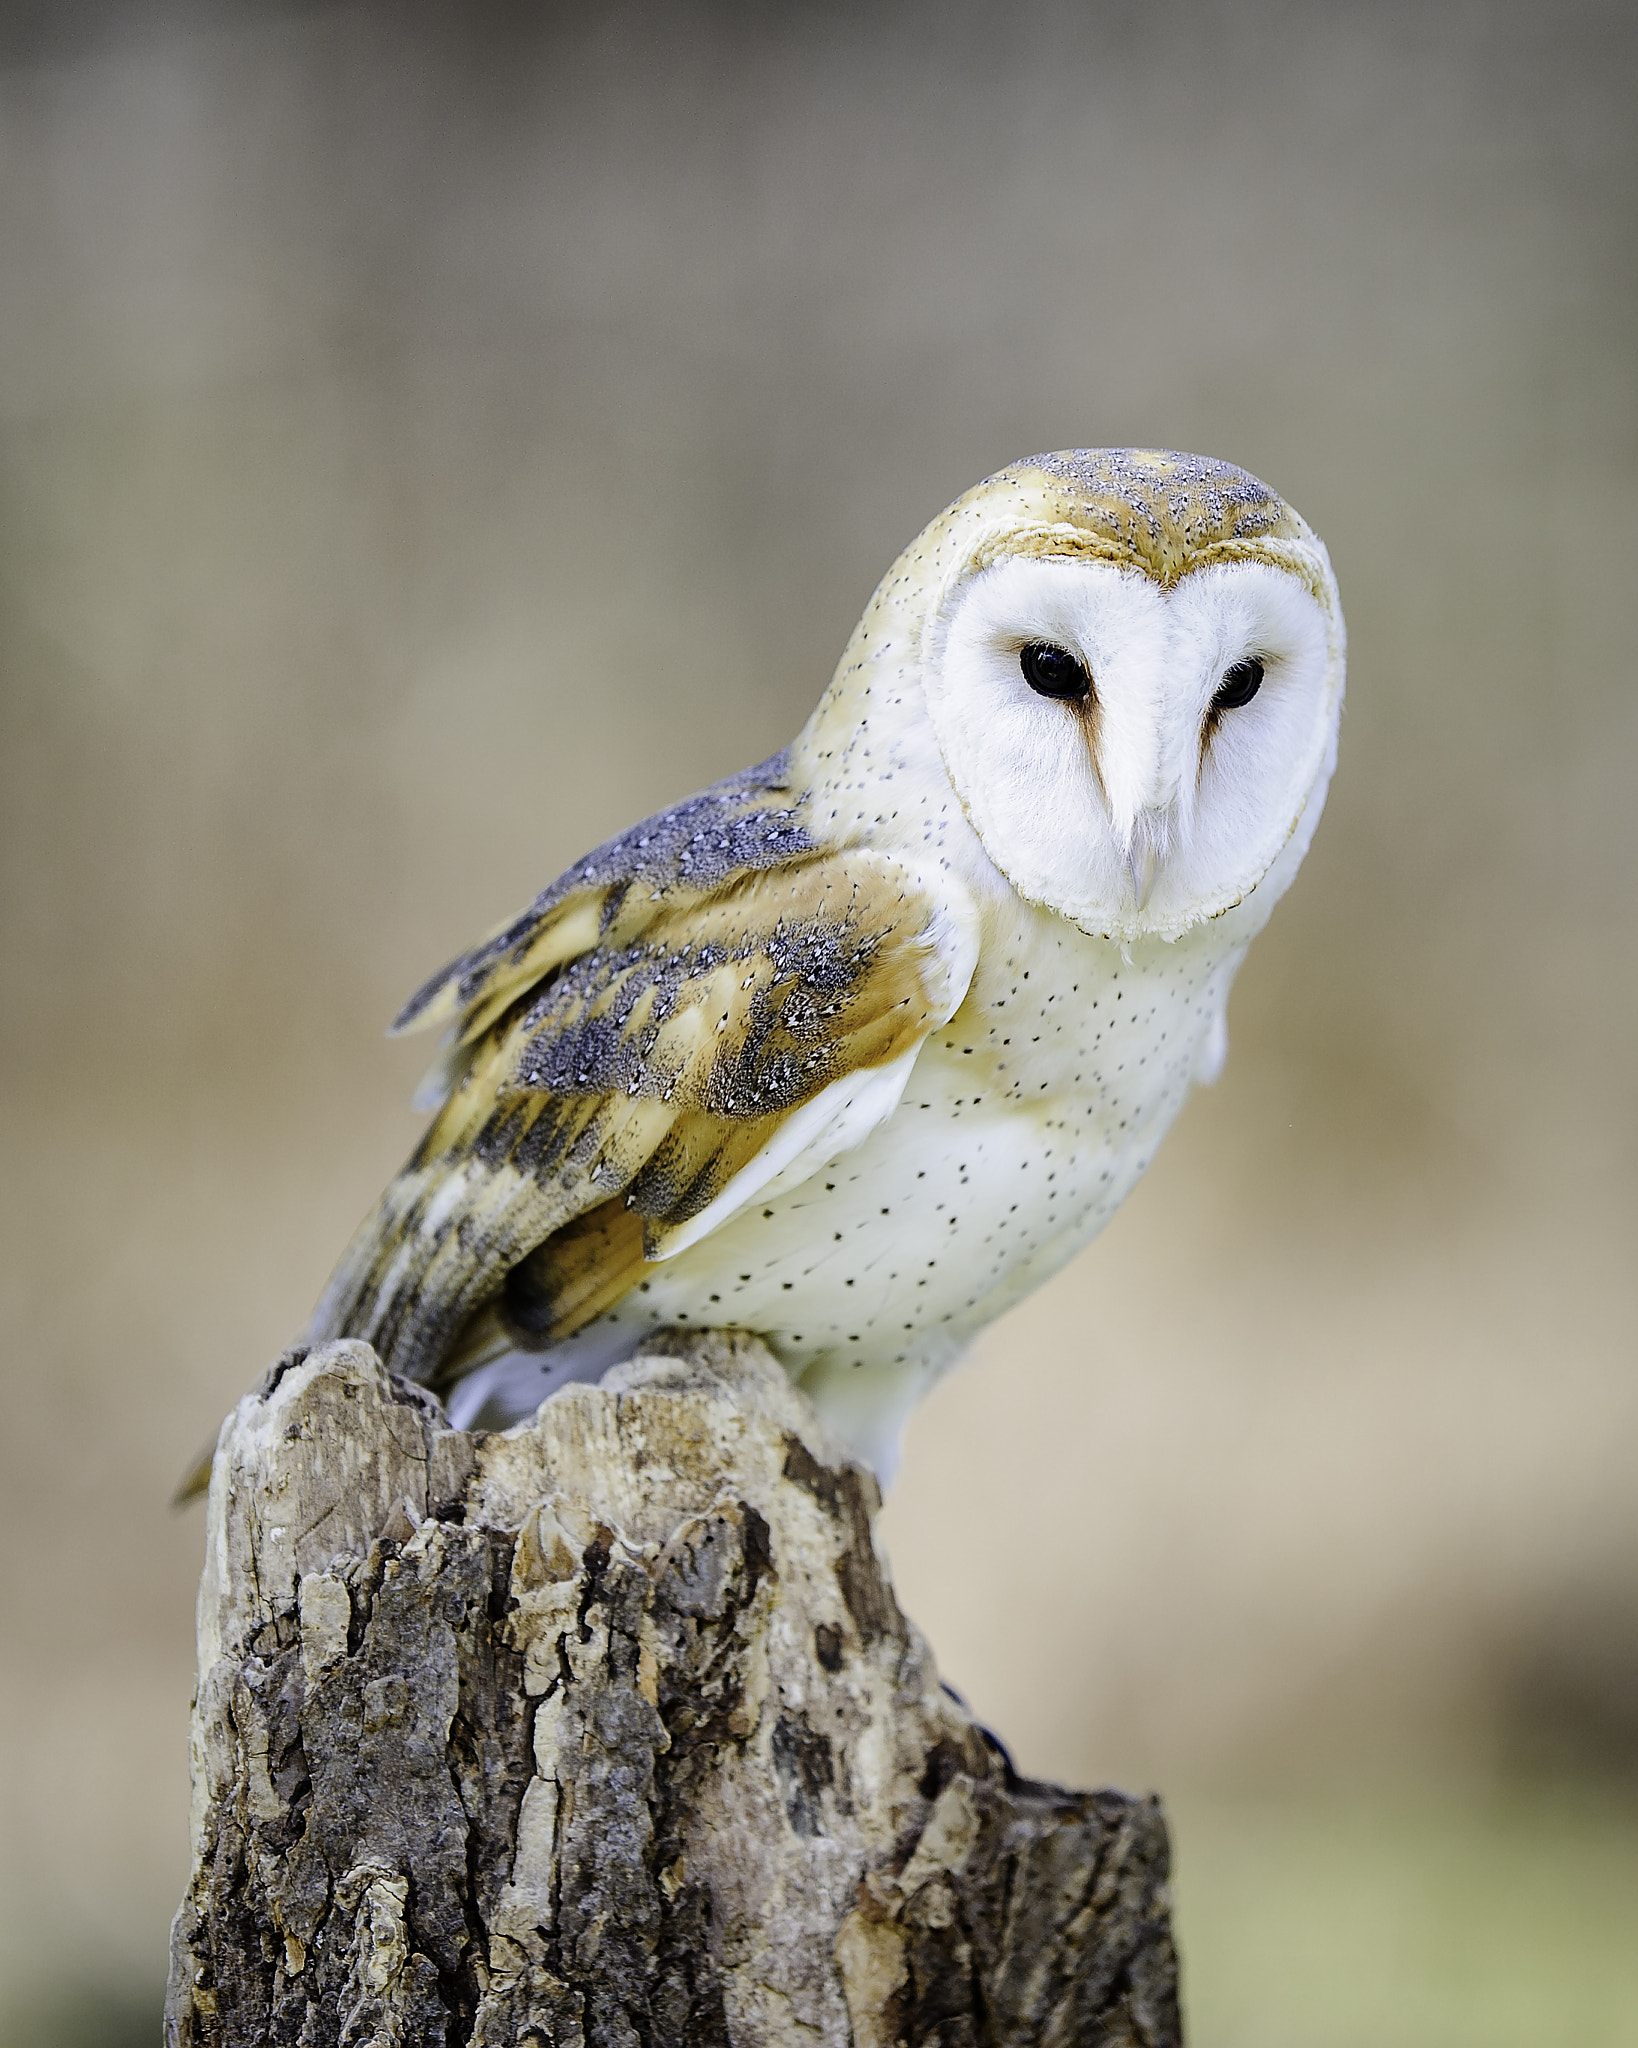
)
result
[(861, 1046)]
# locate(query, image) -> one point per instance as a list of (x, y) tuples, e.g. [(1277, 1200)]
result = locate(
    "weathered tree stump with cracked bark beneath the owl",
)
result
[(611, 1732)]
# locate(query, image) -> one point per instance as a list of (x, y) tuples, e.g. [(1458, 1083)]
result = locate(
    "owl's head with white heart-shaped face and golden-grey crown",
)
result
[(1133, 665)]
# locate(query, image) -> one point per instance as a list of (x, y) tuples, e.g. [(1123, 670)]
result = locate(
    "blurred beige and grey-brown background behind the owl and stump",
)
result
[(435, 437)]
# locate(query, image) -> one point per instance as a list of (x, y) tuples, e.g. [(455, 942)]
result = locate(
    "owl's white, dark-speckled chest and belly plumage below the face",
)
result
[(1023, 1127)]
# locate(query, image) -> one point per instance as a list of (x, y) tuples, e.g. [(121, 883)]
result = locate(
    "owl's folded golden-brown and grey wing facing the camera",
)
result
[(634, 1062)]
